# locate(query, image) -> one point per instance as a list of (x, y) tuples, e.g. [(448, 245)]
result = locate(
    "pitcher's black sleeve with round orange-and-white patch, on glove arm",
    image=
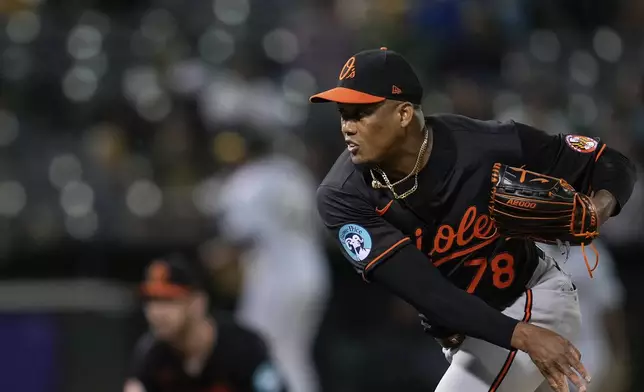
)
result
[(586, 163)]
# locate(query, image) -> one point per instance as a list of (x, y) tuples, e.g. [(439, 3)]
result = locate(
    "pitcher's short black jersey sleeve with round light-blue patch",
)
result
[(364, 237)]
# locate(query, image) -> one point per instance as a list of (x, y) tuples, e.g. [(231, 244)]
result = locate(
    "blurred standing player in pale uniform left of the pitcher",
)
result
[(268, 223)]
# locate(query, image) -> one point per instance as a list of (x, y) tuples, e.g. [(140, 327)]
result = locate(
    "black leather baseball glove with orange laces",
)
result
[(542, 208)]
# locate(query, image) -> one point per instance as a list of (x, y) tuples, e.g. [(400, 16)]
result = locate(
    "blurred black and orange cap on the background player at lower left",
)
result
[(170, 277)]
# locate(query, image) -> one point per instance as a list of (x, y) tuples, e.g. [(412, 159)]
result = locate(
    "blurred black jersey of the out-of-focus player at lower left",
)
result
[(239, 362)]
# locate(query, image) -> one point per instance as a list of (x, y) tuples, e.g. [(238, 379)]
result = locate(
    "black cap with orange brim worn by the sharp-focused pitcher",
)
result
[(372, 76)]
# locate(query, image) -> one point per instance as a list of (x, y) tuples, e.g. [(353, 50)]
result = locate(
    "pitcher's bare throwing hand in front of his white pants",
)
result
[(556, 358)]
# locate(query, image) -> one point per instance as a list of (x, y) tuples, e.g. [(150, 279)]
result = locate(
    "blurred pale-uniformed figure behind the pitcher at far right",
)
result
[(601, 339)]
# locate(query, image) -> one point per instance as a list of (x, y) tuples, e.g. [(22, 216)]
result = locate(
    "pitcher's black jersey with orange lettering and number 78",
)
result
[(447, 216)]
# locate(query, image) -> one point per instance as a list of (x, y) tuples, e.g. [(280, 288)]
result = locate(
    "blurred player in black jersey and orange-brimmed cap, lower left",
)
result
[(186, 349)]
